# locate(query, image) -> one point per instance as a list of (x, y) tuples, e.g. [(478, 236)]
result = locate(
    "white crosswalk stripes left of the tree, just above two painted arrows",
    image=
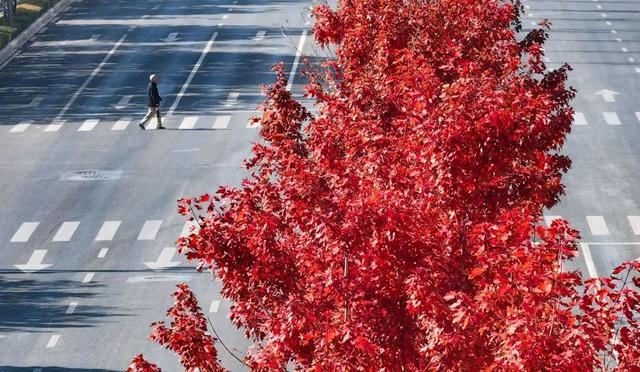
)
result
[(107, 231)]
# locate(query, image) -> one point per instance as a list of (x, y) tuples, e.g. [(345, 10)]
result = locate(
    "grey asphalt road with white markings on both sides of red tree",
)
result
[(92, 196)]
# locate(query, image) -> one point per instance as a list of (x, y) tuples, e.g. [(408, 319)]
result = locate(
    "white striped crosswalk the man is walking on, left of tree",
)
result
[(125, 123)]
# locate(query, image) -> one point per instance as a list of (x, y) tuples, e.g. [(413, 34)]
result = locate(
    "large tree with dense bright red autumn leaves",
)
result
[(398, 229)]
